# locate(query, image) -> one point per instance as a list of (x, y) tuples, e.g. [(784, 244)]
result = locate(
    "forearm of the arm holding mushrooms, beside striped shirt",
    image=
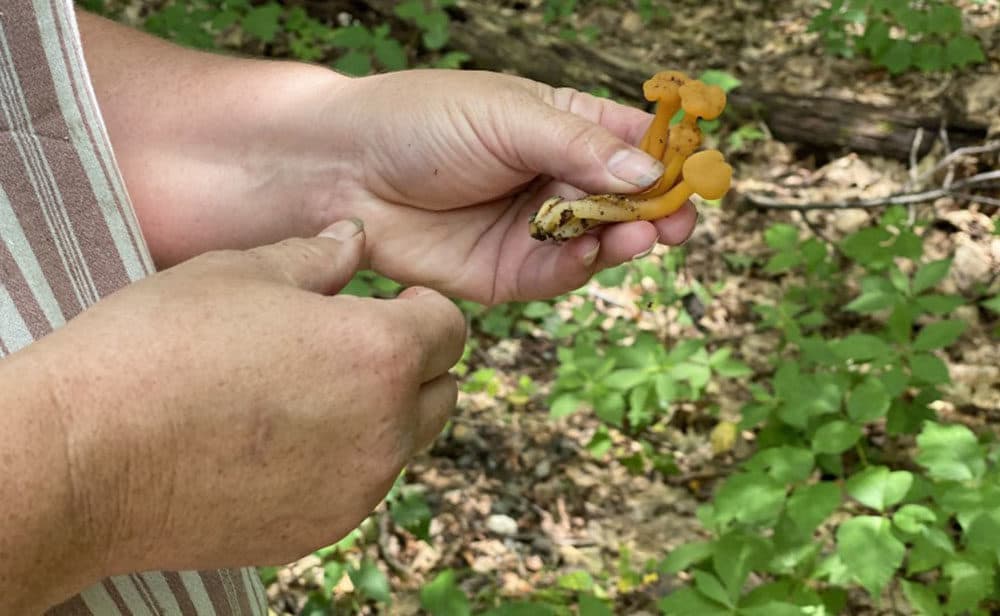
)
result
[(202, 139)]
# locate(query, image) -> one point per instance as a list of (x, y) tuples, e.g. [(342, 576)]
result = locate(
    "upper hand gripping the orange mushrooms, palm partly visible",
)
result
[(450, 166)]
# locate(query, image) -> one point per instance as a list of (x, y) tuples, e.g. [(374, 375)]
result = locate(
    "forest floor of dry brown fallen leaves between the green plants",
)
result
[(518, 500)]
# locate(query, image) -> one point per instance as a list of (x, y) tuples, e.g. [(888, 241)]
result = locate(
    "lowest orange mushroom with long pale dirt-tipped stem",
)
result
[(706, 174)]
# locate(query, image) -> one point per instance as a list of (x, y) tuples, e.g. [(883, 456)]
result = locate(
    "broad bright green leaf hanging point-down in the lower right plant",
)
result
[(870, 551)]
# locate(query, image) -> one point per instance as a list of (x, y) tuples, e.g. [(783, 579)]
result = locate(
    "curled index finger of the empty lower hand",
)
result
[(437, 325)]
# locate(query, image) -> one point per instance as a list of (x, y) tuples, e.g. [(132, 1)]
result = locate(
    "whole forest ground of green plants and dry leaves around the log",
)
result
[(796, 412)]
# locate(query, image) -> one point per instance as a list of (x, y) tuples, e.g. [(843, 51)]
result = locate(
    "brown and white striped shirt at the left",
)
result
[(68, 237)]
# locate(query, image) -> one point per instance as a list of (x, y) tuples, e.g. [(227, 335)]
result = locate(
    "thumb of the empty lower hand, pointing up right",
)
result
[(323, 264)]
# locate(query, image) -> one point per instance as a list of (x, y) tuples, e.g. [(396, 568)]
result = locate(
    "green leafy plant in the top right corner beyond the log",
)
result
[(899, 34)]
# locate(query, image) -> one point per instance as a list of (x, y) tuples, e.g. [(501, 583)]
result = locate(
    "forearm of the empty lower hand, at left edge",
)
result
[(47, 551)]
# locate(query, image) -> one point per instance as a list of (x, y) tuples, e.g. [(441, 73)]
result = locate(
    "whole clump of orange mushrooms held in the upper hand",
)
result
[(685, 173)]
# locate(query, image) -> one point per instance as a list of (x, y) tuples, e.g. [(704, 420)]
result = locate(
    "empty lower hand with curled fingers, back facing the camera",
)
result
[(230, 411)]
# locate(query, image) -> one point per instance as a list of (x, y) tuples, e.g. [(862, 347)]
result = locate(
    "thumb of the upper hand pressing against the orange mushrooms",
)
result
[(575, 148)]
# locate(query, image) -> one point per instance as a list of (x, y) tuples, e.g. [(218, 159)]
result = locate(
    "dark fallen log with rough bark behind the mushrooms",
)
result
[(498, 39)]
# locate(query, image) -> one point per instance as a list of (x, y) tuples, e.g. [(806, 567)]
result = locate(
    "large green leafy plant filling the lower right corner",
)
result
[(850, 449)]
